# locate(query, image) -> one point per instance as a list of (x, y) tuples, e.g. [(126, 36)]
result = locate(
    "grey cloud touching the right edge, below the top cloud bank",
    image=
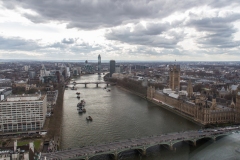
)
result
[(219, 31)]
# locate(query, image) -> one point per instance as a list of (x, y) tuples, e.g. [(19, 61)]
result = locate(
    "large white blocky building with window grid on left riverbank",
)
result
[(23, 112)]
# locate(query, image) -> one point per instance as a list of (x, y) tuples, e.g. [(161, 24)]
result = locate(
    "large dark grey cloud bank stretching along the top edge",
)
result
[(89, 15)]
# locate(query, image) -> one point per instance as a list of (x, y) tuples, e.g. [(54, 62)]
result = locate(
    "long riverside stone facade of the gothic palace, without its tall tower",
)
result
[(200, 109)]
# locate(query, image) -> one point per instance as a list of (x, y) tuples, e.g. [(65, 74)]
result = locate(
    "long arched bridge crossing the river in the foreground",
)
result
[(139, 144)]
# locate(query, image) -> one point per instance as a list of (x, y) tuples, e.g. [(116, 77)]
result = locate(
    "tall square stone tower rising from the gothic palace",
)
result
[(174, 77)]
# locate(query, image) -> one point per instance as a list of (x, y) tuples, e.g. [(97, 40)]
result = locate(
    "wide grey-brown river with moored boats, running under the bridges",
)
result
[(119, 115)]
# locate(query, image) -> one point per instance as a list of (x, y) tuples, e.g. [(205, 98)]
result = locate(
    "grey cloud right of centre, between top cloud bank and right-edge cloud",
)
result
[(153, 35)]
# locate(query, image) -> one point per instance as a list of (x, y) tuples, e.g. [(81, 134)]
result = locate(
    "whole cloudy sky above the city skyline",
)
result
[(152, 30)]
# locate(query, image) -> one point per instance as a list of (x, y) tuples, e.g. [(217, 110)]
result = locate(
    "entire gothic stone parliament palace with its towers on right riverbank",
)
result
[(195, 105)]
